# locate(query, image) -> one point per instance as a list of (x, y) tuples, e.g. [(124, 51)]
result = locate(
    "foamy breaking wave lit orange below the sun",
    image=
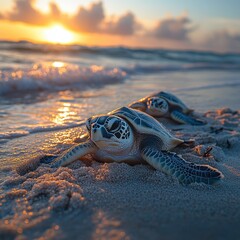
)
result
[(58, 76)]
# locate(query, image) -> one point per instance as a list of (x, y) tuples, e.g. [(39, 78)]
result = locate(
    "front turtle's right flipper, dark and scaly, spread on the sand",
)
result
[(186, 172)]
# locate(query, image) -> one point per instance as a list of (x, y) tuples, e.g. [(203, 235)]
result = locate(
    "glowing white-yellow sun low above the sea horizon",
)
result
[(58, 34)]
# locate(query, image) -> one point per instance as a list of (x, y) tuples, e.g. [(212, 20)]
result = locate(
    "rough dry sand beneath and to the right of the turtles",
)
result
[(118, 201)]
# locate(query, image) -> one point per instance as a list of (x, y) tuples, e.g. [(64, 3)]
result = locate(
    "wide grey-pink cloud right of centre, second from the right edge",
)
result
[(173, 29)]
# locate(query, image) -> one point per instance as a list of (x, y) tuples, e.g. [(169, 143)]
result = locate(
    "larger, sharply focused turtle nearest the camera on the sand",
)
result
[(131, 136)]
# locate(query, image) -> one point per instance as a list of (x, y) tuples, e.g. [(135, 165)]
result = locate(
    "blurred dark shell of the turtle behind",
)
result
[(173, 101)]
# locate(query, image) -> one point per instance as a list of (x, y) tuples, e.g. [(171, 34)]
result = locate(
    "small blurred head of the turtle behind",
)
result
[(157, 106)]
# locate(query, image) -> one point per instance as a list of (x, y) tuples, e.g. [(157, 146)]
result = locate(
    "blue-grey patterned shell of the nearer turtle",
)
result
[(145, 124)]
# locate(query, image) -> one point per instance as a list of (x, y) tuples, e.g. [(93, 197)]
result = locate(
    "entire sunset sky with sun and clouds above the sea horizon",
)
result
[(176, 24)]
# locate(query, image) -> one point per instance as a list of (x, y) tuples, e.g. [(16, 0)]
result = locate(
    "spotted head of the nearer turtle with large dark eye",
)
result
[(110, 133)]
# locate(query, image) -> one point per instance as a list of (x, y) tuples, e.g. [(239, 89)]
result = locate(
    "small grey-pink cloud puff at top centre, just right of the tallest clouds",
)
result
[(124, 25)]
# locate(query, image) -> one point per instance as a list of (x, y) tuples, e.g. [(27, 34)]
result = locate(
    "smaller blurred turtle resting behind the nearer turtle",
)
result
[(166, 105)]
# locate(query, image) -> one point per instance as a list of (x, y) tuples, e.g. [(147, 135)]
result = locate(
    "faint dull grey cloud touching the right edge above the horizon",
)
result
[(223, 41)]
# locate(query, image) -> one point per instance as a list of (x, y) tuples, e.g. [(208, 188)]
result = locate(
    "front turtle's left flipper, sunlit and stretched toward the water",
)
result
[(74, 153)]
